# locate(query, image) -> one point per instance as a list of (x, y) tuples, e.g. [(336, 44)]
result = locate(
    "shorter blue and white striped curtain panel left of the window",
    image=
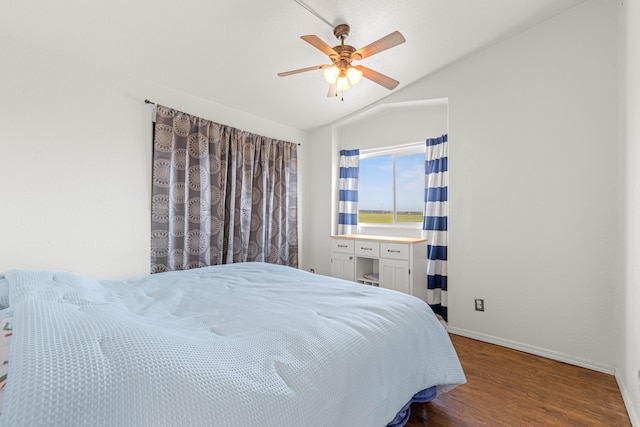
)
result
[(348, 206)]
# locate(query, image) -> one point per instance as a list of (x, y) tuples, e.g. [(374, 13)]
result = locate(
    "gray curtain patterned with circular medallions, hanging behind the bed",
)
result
[(220, 195)]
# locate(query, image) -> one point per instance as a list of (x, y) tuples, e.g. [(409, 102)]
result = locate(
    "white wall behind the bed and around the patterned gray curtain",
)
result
[(75, 153)]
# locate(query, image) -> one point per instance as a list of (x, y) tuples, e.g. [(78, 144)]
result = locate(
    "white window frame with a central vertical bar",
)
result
[(394, 151)]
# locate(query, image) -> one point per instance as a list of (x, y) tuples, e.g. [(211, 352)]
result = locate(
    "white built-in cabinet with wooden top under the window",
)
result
[(396, 263)]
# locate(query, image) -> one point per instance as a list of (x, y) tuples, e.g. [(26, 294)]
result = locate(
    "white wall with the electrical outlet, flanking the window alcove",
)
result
[(533, 197)]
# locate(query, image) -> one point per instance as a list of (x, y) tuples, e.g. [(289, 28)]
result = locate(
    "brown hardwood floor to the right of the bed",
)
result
[(510, 388)]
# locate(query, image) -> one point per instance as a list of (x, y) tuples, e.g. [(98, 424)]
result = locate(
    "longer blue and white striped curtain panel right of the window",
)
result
[(435, 222)]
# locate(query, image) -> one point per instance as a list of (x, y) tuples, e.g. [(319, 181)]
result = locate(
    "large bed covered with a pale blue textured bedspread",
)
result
[(247, 344)]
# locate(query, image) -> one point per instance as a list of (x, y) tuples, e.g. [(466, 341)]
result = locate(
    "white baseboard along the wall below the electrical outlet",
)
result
[(538, 351)]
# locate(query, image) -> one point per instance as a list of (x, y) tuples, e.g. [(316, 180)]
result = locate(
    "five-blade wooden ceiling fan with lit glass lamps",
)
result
[(341, 74)]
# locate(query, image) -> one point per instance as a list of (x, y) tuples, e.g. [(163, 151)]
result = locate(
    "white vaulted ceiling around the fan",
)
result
[(230, 51)]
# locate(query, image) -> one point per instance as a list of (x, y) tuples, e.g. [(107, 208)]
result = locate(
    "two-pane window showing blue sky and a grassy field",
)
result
[(391, 186)]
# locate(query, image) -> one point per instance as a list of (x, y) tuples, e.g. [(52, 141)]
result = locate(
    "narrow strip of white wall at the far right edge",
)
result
[(629, 374)]
